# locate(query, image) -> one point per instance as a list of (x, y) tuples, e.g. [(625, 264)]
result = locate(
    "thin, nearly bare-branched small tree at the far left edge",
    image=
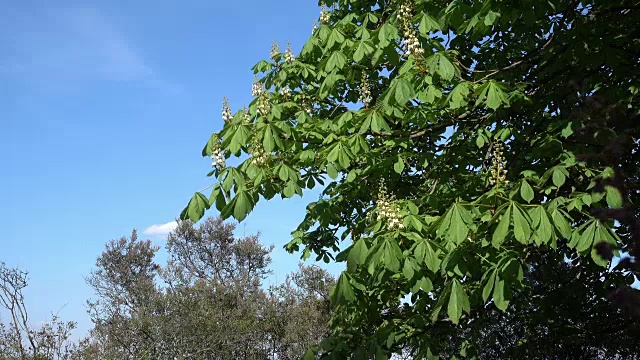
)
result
[(19, 339)]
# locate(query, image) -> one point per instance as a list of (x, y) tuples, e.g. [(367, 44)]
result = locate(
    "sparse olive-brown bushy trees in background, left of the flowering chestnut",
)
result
[(208, 302)]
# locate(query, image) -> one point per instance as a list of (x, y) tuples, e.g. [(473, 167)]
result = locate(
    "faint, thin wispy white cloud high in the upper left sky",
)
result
[(74, 45)]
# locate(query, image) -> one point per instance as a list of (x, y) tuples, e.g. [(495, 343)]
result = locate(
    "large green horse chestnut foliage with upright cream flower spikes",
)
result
[(497, 132)]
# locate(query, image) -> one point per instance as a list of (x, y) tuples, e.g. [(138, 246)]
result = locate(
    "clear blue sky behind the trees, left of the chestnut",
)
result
[(105, 106)]
